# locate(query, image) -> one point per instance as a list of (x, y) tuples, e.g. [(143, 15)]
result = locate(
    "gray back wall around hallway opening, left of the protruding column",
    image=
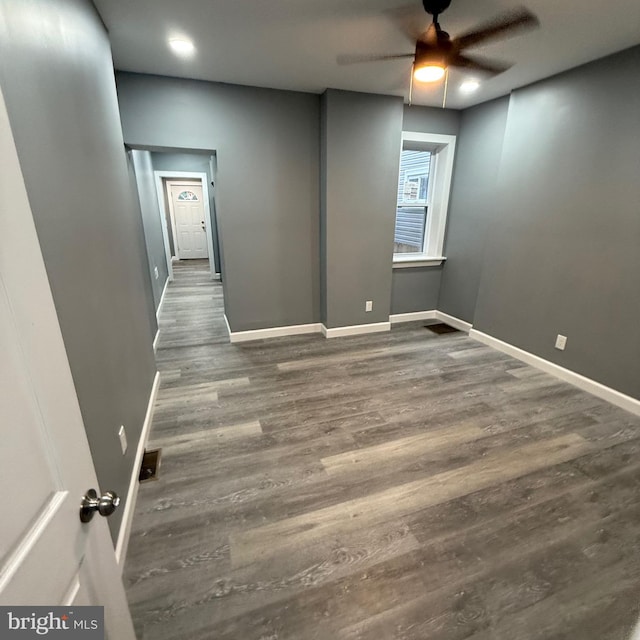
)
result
[(267, 193)]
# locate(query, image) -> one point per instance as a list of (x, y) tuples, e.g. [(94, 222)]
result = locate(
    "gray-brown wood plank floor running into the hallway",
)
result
[(401, 485)]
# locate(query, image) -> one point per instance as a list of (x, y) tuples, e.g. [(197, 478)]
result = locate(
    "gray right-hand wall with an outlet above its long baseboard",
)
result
[(562, 251)]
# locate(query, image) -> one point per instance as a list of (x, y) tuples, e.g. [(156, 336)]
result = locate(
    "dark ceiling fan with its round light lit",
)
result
[(435, 51)]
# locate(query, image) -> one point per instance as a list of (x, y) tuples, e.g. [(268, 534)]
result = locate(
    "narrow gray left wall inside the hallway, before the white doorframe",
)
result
[(151, 222)]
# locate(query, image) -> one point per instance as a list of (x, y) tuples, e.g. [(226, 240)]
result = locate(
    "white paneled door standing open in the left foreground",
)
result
[(47, 556)]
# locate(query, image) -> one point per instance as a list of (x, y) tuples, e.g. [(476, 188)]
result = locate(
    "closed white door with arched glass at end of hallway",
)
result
[(188, 216)]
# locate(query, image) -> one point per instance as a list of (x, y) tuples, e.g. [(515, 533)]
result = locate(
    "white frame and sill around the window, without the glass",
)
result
[(442, 148)]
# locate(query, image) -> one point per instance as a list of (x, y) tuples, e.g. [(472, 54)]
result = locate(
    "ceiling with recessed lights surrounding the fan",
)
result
[(293, 44)]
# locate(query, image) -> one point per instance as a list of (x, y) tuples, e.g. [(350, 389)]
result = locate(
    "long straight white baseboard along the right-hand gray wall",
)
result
[(586, 384)]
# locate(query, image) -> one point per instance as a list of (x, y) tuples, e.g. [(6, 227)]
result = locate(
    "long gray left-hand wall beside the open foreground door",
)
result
[(57, 77)]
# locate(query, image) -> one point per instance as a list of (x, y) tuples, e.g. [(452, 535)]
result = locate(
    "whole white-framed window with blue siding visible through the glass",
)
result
[(426, 164)]
